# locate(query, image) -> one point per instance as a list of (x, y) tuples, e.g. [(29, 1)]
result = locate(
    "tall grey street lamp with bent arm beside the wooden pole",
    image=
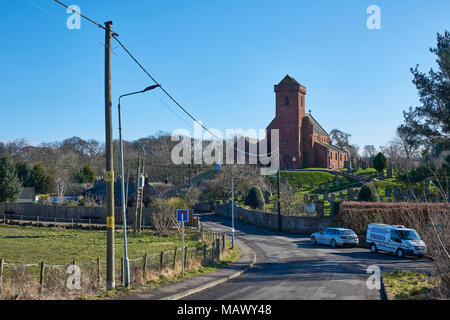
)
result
[(126, 263)]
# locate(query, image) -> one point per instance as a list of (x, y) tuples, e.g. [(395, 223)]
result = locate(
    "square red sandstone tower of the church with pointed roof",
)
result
[(290, 110)]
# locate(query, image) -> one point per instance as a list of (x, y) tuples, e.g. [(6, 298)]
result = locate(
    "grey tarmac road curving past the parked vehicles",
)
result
[(290, 267)]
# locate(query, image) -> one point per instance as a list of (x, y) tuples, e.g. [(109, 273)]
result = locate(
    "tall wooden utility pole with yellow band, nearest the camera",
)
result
[(110, 277)]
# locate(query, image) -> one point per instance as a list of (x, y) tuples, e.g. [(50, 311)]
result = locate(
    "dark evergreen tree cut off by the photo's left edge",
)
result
[(10, 186)]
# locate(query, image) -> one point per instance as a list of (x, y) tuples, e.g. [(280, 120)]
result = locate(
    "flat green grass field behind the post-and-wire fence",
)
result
[(26, 245)]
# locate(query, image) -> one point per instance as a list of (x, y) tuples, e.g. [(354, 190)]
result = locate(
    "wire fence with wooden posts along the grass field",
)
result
[(76, 279)]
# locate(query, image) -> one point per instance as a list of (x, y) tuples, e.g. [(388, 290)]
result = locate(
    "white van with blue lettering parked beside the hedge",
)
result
[(396, 239)]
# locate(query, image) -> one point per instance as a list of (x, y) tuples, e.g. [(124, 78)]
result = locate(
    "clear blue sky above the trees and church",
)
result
[(220, 59)]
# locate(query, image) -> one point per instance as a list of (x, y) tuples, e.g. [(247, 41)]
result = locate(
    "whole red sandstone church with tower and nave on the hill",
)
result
[(303, 141)]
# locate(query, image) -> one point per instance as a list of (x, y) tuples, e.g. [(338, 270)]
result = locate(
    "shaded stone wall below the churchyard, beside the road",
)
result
[(291, 224)]
